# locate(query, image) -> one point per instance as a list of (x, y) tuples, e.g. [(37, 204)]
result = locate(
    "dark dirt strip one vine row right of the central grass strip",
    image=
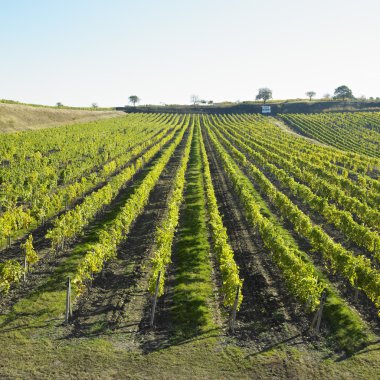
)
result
[(268, 315)]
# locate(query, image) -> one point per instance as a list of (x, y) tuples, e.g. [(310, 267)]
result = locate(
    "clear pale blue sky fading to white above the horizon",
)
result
[(83, 51)]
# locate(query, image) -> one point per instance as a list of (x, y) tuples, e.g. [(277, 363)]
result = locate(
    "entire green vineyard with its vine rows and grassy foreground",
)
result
[(202, 216)]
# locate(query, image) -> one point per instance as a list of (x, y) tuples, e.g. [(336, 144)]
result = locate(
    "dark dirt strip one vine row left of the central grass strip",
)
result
[(118, 301)]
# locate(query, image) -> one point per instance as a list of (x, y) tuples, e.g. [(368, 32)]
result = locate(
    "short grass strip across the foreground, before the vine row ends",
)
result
[(49, 354)]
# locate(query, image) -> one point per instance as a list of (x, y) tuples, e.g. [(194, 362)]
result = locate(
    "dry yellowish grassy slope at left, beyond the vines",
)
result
[(16, 117)]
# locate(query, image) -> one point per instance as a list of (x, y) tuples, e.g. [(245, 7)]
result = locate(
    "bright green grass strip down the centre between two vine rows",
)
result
[(191, 313)]
